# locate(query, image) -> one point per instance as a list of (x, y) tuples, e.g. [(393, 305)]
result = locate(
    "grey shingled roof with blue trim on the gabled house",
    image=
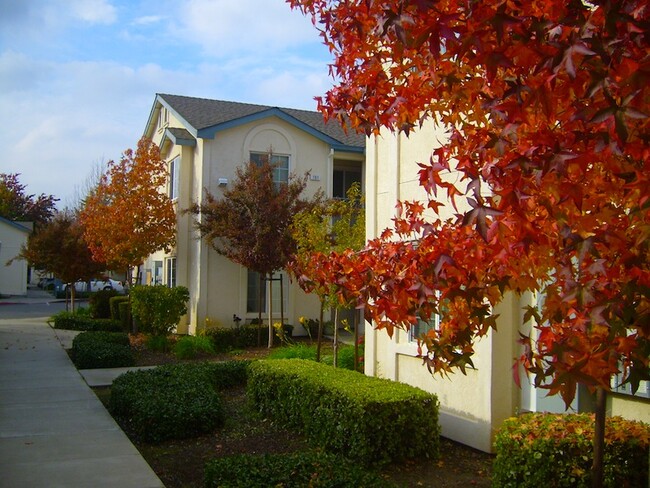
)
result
[(205, 117)]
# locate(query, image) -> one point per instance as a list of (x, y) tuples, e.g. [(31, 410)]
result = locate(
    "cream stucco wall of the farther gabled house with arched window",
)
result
[(218, 287)]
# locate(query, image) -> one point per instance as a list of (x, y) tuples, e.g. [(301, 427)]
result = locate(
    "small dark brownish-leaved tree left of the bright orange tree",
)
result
[(58, 247)]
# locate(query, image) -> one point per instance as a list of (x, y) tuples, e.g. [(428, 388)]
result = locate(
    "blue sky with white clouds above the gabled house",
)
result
[(78, 78)]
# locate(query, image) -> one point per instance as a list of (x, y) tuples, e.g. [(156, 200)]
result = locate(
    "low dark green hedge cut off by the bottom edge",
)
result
[(295, 470)]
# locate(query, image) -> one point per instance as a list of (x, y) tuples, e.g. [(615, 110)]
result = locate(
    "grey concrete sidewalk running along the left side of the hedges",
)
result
[(54, 432)]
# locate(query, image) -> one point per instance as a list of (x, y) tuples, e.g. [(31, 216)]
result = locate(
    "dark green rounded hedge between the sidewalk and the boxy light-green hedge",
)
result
[(174, 401)]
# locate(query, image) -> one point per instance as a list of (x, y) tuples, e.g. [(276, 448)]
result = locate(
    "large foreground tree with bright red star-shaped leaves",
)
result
[(546, 106)]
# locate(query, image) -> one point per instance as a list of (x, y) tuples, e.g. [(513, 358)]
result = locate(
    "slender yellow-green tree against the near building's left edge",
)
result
[(334, 226)]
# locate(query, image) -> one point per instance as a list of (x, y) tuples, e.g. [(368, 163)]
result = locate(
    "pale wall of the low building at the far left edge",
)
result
[(13, 278)]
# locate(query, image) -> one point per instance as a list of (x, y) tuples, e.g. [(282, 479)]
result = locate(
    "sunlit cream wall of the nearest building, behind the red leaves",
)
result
[(472, 406)]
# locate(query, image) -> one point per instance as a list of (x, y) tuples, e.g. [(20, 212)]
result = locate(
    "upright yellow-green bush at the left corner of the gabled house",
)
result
[(158, 309)]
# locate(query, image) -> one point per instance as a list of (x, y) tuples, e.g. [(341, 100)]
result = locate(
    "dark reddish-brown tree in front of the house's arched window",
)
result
[(250, 224)]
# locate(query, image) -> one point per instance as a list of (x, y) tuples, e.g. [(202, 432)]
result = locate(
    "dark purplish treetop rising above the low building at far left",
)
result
[(15, 204)]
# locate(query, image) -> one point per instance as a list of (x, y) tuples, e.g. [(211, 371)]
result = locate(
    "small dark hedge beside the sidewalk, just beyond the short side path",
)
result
[(91, 350)]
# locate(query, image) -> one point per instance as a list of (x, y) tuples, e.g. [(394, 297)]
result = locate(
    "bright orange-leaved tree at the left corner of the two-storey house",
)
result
[(128, 216)]
